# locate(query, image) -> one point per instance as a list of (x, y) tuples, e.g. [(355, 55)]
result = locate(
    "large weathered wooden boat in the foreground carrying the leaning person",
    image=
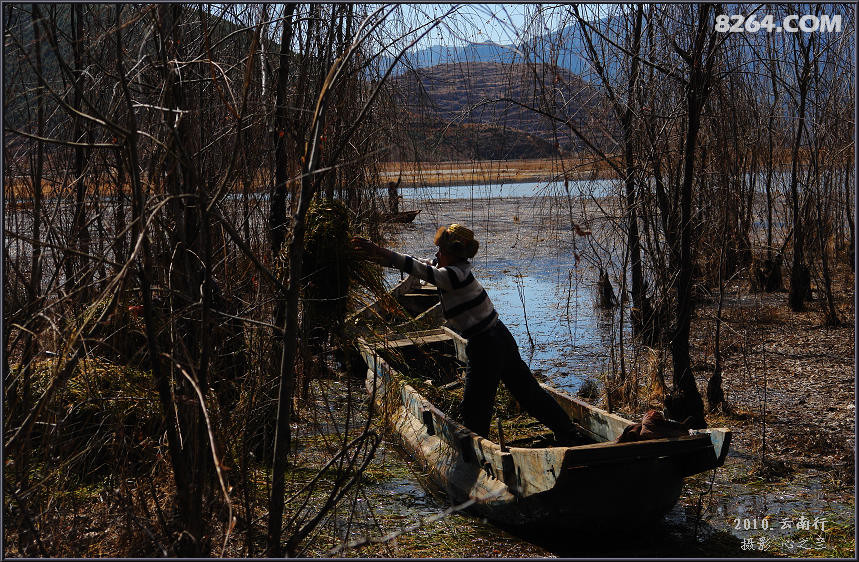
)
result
[(527, 485)]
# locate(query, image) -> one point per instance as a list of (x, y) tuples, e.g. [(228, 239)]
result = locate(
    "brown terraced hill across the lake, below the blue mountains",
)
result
[(497, 110)]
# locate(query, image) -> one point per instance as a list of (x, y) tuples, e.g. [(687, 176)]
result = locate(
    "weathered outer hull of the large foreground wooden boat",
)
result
[(550, 489)]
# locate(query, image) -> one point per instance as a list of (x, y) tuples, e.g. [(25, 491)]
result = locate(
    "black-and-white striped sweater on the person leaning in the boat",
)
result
[(464, 301)]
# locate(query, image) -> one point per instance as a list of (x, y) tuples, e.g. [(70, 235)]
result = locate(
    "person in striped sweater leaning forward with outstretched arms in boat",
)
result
[(492, 351)]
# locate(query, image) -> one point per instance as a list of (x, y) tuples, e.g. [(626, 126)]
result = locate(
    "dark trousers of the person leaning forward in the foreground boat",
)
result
[(492, 356)]
